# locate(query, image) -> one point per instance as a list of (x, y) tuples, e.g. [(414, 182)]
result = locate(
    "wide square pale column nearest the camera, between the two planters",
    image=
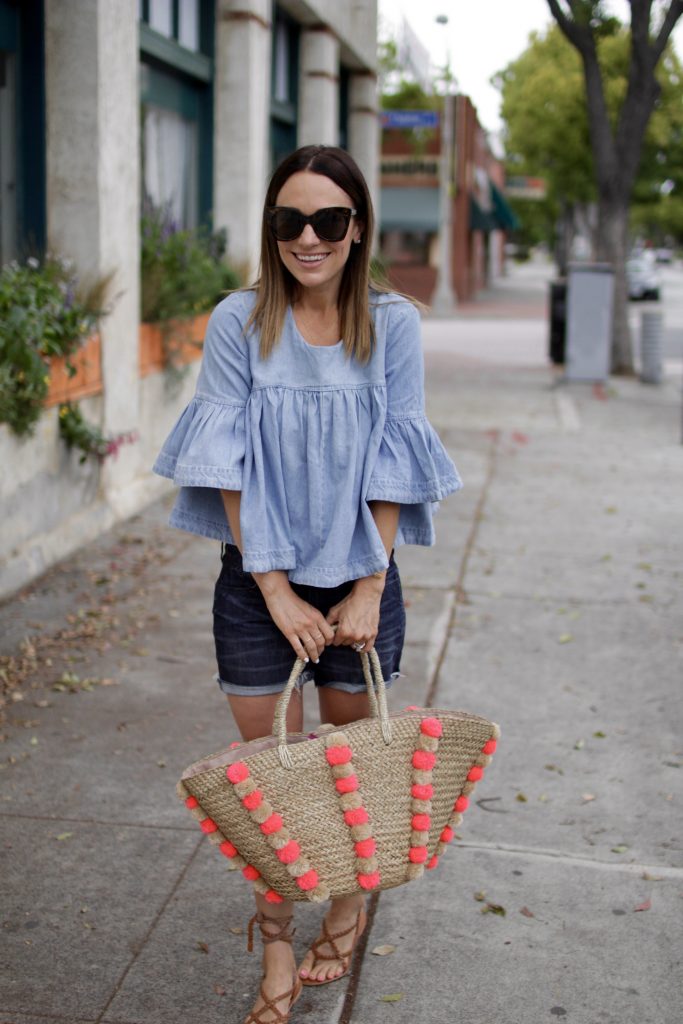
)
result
[(92, 89)]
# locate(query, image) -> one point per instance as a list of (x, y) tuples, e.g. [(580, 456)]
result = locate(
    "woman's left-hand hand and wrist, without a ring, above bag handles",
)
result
[(305, 627)]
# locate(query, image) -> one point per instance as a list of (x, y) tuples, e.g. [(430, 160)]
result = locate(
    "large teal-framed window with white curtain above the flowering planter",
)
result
[(177, 94)]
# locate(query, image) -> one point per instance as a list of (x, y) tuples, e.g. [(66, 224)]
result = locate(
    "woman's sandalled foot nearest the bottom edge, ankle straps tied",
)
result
[(280, 987)]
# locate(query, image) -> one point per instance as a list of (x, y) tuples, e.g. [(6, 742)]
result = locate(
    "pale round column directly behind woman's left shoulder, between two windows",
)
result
[(242, 119)]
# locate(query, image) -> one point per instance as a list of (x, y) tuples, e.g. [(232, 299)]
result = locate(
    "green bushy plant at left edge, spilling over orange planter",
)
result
[(41, 315)]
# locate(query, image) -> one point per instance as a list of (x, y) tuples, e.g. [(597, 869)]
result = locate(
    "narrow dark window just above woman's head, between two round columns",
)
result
[(284, 88)]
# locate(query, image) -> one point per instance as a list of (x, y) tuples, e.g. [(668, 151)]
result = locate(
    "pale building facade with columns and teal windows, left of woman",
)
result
[(189, 105)]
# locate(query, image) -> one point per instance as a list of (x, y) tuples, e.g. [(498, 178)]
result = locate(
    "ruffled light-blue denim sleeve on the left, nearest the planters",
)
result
[(206, 448)]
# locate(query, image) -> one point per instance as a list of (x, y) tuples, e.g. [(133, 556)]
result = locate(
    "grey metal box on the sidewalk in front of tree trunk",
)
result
[(590, 304)]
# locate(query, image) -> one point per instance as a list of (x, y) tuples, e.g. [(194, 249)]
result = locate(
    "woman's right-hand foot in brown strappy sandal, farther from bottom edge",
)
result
[(330, 957)]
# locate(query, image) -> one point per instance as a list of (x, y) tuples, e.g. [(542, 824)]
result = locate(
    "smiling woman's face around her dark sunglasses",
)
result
[(314, 263)]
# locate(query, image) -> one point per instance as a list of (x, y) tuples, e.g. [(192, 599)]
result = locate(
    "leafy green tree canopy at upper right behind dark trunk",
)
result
[(546, 120)]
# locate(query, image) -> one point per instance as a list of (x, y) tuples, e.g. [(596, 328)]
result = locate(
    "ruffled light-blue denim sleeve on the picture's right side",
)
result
[(412, 466)]
